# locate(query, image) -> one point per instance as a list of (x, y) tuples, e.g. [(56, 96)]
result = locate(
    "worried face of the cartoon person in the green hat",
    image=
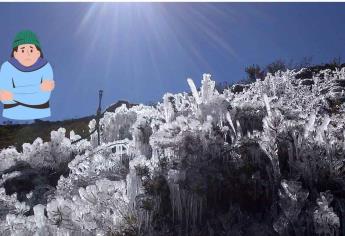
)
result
[(27, 54)]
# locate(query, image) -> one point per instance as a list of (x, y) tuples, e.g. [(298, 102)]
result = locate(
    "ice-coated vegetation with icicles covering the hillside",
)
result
[(266, 159)]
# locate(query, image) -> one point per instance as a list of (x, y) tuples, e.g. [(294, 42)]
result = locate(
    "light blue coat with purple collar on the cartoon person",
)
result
[(24, 83)]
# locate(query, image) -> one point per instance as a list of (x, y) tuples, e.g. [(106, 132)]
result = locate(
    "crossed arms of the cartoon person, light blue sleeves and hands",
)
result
[(31, 94)]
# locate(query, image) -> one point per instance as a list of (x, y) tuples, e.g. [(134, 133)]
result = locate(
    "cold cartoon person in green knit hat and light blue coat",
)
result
[(26, 80)]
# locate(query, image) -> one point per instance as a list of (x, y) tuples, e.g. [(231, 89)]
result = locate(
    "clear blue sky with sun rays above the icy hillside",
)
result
[(139, 51)]
